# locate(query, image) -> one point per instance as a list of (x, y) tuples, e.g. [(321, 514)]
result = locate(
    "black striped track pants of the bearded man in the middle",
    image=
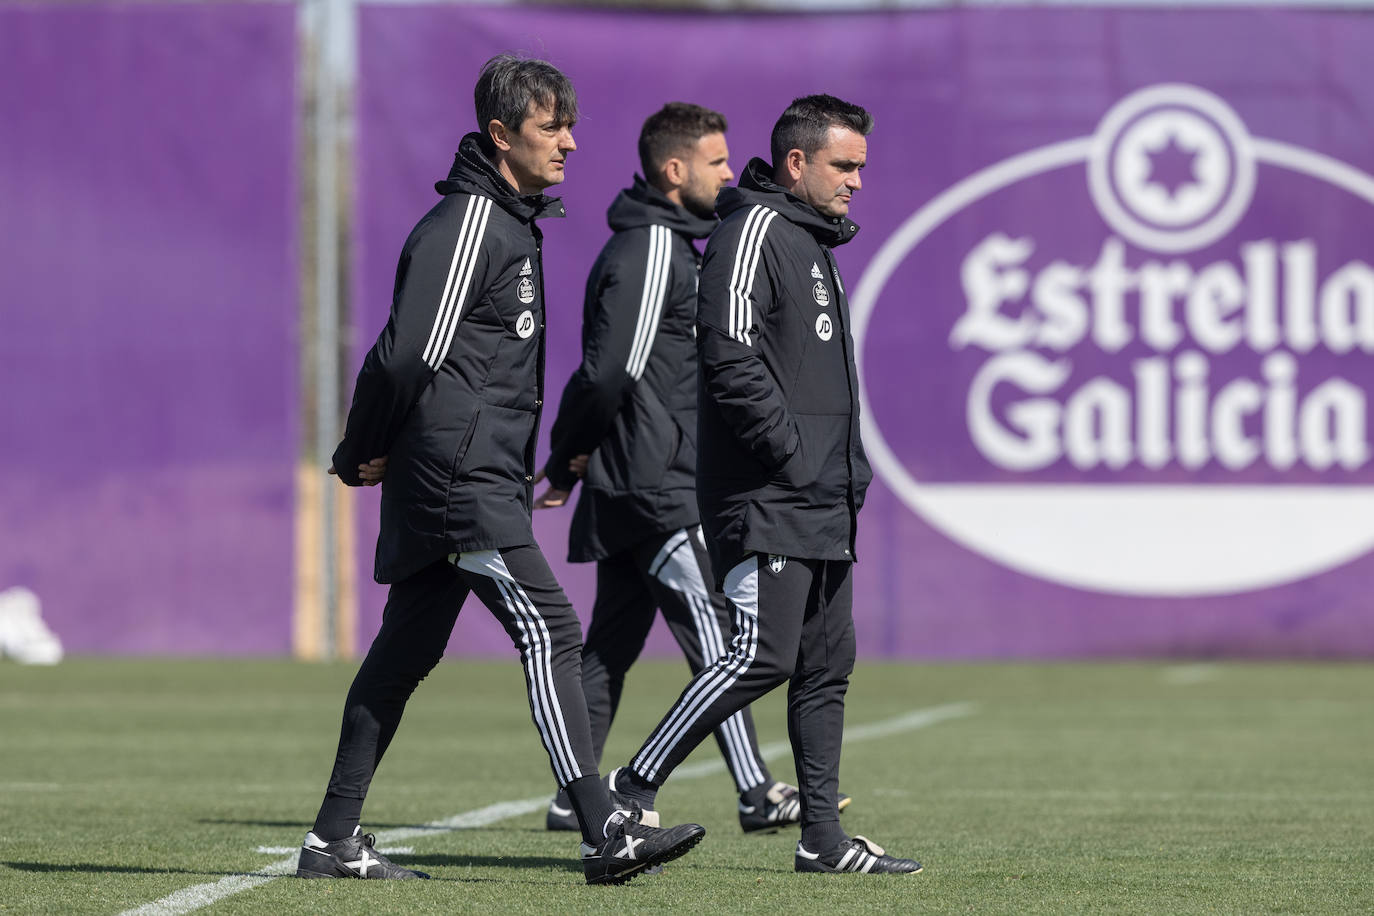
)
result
[(666, 573)]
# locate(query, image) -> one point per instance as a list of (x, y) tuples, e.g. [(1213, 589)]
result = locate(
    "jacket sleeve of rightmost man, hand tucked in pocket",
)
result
[(733, 304)]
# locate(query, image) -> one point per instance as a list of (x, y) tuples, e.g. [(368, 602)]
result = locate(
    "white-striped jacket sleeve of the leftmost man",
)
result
[(442, 273)]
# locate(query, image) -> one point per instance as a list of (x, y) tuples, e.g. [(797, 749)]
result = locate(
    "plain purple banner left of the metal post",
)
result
[(150, 303)]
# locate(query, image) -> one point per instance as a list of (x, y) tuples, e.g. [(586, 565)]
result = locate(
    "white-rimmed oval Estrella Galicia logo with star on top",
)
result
[(1203, 439)]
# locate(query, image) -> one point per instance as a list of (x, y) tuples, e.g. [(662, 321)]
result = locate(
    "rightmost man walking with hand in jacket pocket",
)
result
[(781, 472)]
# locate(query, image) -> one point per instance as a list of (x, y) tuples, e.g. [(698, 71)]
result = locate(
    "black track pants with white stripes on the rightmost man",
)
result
[(793, 623)]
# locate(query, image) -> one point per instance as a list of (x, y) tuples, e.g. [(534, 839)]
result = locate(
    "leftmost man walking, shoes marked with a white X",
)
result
[(447, 411)]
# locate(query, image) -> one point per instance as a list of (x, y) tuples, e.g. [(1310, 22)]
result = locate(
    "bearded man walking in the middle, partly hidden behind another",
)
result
[(627, 426)]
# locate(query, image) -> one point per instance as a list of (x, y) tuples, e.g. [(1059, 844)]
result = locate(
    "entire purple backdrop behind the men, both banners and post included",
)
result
[(1114, 306)]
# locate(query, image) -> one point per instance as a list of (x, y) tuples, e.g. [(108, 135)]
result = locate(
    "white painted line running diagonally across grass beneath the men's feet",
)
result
[(192, 899)]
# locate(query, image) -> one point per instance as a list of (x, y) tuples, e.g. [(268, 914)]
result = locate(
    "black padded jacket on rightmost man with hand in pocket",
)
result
[(781, 466)]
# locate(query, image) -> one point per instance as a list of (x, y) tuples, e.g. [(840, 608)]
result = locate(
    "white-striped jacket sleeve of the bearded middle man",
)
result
[(624, 307)]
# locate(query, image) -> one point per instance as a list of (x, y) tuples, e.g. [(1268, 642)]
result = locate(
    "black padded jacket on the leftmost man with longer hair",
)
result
[(453, 389)]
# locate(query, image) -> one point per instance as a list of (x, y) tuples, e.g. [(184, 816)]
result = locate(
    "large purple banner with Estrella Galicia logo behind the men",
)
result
[(1112, 299)]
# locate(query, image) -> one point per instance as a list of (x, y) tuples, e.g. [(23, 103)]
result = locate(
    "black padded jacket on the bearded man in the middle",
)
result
[(631, 404)]
